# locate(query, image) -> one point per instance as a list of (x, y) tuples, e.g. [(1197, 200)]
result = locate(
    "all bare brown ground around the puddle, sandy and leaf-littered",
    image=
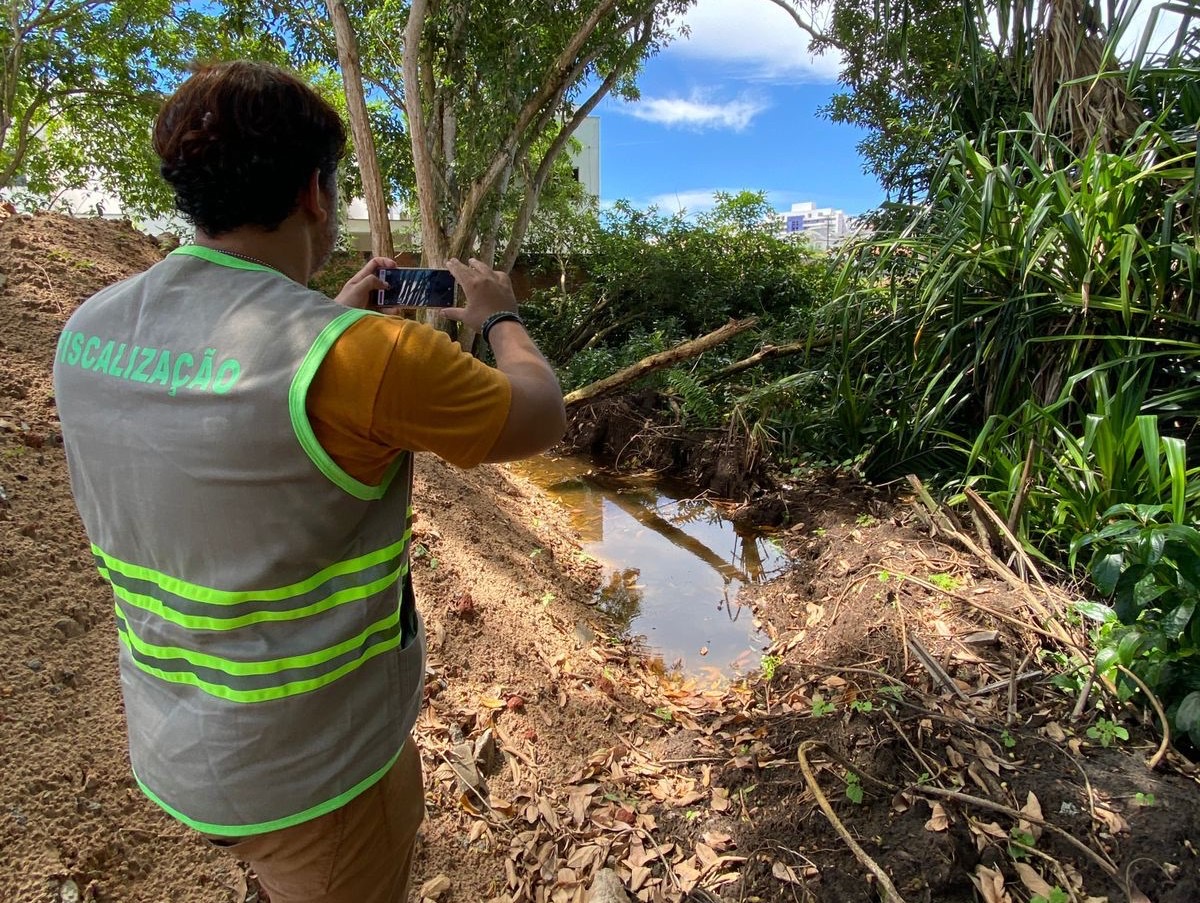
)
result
[(553, 751)]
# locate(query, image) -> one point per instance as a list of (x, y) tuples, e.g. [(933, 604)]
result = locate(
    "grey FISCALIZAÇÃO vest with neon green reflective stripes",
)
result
[(272, 659)]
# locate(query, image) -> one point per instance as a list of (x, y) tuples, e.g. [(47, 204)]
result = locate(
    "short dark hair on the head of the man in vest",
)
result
[(238, 142)]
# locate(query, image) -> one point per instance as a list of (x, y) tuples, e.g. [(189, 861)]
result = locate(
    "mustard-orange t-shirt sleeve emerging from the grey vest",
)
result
[(391, 385)]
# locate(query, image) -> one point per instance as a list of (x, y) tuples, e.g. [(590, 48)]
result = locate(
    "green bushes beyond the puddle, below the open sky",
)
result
[(650, 274)]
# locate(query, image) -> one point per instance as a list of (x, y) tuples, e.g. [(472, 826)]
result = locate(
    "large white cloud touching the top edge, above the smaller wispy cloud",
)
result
[(755, 35)]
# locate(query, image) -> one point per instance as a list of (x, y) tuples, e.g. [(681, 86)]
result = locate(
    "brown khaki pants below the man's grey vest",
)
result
[(362, 853)]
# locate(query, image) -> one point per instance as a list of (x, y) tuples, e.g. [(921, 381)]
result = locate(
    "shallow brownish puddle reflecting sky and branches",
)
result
[(675, 566)]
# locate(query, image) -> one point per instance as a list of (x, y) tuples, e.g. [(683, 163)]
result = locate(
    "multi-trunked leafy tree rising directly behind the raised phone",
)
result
[(478, 107)]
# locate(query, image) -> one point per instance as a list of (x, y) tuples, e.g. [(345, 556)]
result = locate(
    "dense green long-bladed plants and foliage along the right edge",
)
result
[(1030, 327)]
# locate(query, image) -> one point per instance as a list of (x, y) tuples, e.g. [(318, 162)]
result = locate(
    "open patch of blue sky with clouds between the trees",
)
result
[(733, 107)]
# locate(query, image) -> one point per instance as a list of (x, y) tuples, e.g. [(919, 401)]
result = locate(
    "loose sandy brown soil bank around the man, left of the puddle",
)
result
[(69, 809)]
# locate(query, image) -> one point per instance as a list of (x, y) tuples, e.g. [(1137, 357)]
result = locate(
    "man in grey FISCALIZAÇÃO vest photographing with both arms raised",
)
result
[(241, 453)]
